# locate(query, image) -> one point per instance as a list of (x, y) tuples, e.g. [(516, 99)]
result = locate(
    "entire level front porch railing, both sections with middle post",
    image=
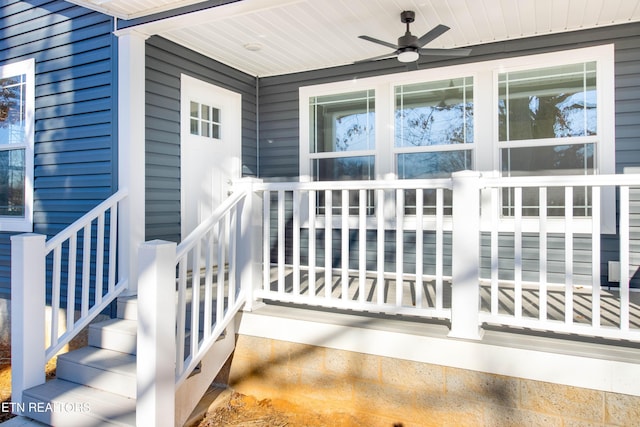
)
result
[(354, 245)]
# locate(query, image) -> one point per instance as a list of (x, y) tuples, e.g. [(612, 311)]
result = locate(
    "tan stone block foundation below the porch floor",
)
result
[(386, 392)]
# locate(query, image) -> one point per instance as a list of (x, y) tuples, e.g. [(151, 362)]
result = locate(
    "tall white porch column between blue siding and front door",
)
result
[(131, 152)]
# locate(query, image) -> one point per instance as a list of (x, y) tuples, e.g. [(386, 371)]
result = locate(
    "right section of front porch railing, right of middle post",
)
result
[(603, 313)]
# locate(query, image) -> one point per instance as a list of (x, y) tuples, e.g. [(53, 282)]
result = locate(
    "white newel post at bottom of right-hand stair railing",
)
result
[(156, 342)]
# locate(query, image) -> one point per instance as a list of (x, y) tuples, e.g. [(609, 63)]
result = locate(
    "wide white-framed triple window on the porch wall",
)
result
[(512, 116)]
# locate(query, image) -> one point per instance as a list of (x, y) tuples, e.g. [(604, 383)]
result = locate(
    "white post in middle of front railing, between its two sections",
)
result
[(465, 292)]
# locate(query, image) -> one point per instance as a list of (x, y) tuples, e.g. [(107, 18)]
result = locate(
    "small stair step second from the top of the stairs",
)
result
[(114, 334)]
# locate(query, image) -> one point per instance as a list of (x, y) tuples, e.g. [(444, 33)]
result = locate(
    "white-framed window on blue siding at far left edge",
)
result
[(16, 146)]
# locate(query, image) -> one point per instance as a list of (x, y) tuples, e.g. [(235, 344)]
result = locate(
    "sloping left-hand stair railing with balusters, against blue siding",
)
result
[(70, 234)]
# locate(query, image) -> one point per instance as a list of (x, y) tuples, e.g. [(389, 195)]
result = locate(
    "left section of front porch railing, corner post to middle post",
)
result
[(332, 237)]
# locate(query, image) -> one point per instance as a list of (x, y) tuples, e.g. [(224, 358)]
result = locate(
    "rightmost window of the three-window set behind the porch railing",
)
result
[(548, 125)]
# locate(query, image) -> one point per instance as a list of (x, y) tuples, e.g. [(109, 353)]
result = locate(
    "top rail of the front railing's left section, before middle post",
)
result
[(391, 184)]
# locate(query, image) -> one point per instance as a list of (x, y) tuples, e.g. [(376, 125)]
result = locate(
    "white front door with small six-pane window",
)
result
[(210, 148)]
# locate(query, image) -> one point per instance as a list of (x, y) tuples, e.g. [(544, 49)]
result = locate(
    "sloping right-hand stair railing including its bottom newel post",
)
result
[(187, 297)]
